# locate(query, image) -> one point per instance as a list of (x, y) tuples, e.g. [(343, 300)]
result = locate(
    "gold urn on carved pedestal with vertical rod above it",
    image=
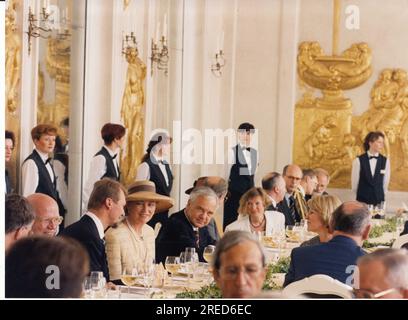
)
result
[(323, 125)]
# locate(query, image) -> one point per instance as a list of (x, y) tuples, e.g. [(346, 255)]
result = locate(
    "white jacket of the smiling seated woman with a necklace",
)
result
[(275, 222)]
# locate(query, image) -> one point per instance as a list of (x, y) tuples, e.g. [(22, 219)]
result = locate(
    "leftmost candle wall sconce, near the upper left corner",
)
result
[(43, 27)]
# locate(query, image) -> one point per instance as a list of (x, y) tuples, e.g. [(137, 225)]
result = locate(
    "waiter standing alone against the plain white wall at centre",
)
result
[(242, 172)]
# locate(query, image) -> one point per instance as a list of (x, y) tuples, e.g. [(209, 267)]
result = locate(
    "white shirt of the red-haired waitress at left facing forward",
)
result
[(29, 174)]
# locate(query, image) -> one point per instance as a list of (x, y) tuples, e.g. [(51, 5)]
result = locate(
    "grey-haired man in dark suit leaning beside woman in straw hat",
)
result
[(187, 228)]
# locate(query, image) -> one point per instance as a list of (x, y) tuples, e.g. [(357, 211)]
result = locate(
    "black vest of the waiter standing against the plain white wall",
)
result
[(240, 179)]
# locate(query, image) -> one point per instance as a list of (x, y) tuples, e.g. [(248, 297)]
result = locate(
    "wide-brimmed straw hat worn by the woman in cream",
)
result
[(145, 190)]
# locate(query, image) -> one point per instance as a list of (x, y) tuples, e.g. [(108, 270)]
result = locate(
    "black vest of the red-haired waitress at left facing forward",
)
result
[(45, 184)]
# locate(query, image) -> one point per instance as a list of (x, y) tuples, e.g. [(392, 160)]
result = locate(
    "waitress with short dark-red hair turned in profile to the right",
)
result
[(105, 162)]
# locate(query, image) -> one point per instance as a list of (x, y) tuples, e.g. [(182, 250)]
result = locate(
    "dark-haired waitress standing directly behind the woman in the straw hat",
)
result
[(155, 168)]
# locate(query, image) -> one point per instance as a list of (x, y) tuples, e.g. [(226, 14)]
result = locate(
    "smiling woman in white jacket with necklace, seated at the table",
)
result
[(253, 217)]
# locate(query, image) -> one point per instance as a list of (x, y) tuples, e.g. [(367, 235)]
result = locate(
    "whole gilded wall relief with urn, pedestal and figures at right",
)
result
[(327, 135)]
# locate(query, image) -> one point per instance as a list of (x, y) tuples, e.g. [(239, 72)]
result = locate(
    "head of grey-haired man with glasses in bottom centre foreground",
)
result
[(239, 265)]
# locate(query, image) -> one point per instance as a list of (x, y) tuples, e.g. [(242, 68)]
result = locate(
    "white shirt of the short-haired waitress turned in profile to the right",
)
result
[(97, 169)]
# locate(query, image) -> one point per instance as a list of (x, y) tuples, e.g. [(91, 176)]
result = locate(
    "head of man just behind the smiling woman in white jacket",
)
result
[(275, 187)]
